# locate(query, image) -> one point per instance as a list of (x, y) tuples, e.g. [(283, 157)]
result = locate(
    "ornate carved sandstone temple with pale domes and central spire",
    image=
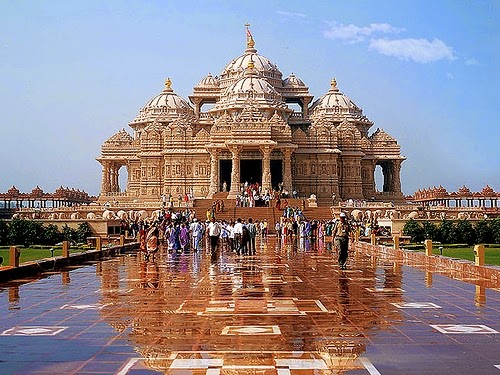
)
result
[(250, 125)]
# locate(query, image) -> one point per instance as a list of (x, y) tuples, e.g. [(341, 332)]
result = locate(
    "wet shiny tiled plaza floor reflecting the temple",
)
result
[(287, 310)]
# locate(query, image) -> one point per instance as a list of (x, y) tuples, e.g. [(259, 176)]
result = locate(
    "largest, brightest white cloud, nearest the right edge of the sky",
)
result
[(418, 50)]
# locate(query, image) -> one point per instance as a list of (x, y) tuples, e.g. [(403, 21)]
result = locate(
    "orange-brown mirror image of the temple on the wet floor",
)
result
[(251, 314)]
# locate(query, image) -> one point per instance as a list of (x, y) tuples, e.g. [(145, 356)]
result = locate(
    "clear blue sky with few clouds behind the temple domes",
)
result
[(73, 73)]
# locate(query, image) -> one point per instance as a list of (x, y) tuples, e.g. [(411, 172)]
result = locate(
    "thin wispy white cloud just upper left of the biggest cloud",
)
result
[(354, 34)]
